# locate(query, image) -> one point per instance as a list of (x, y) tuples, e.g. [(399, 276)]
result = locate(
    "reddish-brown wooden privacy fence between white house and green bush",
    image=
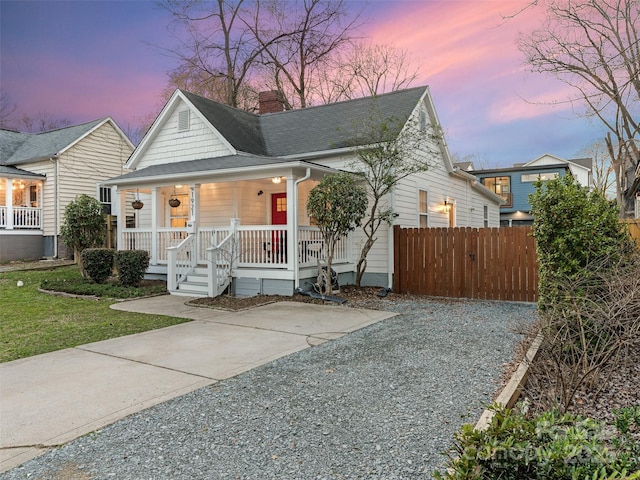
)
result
[(482, 263)]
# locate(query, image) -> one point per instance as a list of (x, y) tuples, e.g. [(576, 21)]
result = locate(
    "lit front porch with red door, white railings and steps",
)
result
[(252, 236)]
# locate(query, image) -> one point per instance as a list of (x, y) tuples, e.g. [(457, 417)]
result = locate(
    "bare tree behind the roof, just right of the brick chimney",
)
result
[(298, 39)]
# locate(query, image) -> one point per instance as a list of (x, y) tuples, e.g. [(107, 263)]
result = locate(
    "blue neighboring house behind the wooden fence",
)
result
[(515, 184)]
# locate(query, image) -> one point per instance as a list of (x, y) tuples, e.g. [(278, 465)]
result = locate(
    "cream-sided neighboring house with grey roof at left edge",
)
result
[(41, 173)]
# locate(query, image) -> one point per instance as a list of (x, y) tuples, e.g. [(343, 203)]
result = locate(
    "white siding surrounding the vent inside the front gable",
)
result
[(171, 145)]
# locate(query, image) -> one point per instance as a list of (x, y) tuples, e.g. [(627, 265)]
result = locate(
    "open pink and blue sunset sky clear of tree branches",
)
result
[(89, 59)]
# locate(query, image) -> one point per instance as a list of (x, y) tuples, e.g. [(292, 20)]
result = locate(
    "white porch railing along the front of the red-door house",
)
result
[(256, 246)]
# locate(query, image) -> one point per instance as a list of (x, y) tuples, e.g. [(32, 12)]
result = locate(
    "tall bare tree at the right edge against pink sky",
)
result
[(594, 46)]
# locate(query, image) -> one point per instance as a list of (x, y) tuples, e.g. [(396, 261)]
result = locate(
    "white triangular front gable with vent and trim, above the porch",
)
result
[(180, 133)]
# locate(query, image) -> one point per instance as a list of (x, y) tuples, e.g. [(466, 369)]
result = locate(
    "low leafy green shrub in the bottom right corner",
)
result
[(548, 446)]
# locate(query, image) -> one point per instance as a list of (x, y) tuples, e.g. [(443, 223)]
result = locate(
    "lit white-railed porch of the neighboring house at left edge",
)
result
[(21, 218)]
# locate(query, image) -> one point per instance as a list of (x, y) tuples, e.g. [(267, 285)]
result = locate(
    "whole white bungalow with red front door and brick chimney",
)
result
[(224, 191)]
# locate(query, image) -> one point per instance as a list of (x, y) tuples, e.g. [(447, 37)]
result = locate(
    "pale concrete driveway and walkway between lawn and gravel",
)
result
[(50, 399)]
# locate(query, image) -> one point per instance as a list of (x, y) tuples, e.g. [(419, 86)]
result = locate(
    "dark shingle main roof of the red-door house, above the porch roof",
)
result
[(306, 130)]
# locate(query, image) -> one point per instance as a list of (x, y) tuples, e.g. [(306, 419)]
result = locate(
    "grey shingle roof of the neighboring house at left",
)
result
[(18, 148)]
